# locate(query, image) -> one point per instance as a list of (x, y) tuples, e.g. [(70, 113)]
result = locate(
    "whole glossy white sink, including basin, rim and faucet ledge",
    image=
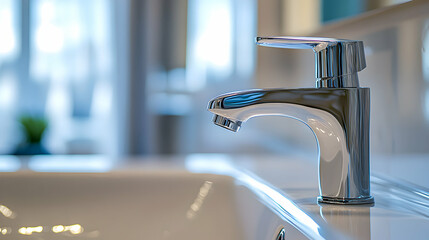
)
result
[(200, 197)]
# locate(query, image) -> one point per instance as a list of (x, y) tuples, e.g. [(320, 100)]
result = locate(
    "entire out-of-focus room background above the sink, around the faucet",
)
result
[(133, 77)]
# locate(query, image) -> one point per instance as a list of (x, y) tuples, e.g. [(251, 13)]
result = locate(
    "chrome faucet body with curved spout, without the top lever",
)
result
[(339, 119)]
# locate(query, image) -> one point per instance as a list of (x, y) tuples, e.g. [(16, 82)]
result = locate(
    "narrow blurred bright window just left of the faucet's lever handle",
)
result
[(221, 45)]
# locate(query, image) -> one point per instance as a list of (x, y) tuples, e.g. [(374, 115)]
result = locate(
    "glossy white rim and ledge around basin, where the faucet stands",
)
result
[(399, 210)]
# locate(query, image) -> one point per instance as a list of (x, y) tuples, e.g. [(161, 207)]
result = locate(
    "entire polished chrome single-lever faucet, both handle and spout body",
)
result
[(337, 111)]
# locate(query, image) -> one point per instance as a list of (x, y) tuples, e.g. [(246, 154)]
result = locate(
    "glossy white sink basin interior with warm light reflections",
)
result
[(134, 205)]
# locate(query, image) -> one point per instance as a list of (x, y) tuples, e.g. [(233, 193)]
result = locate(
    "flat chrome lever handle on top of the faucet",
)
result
[(337, 61)]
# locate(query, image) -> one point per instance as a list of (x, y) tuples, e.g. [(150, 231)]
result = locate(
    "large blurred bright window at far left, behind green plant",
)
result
[(59, 67)]
